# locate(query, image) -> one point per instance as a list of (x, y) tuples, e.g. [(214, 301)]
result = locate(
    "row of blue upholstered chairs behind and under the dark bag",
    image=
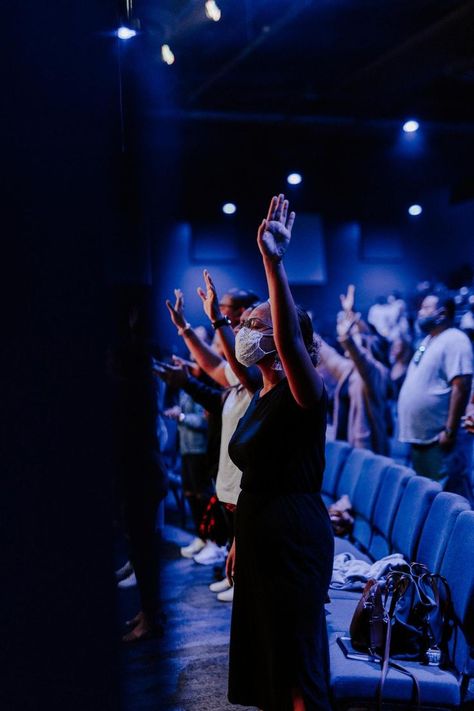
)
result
[(397, 511)]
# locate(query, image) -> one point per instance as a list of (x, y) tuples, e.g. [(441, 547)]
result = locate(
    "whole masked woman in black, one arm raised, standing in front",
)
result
[(282, 557)]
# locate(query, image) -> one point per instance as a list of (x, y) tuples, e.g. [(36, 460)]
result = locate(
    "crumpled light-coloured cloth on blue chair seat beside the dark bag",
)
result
[(349, 573)]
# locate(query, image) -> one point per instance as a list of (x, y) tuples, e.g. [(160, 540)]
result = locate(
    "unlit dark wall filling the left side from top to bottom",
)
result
[(61, 160)]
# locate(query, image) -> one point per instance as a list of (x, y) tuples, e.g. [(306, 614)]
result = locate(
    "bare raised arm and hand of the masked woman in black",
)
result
[(273, 239)]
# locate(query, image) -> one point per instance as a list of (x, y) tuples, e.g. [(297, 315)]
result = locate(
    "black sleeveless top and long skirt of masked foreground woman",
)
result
[(284, 555)]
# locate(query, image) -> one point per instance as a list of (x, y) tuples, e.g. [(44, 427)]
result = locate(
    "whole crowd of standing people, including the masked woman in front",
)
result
[(252, 406)]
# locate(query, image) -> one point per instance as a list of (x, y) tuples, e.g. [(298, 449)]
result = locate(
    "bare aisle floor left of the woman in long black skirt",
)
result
[(185, 670)]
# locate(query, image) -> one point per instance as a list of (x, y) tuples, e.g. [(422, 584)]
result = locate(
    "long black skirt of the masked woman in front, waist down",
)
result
[(284, 558)]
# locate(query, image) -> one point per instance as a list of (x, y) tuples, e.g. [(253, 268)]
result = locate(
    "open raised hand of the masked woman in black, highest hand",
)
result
[(274, 233)]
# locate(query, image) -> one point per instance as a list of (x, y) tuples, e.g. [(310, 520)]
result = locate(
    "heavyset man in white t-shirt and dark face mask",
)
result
[(434, 396)]
